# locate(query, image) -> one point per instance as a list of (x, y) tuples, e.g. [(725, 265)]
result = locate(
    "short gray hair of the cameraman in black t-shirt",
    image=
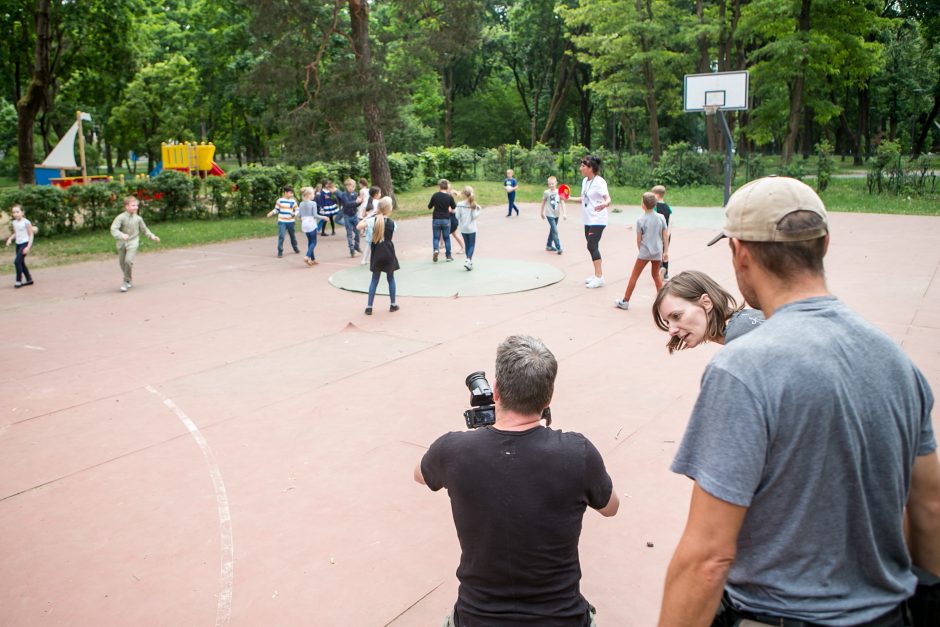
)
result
[(525, 374)]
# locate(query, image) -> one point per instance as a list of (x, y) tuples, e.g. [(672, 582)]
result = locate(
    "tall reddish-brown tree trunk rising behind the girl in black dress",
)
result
[(378, 155)]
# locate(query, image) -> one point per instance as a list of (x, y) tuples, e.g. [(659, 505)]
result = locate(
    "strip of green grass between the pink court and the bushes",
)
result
[(848, 195)]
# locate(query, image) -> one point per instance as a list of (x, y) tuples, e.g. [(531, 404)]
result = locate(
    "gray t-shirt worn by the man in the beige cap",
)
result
[(813, 423)]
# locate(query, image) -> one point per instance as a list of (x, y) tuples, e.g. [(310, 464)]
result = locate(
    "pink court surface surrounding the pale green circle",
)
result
[(232, 441)]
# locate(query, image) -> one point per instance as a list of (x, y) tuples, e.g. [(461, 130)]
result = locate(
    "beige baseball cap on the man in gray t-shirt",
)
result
[(754, 212)]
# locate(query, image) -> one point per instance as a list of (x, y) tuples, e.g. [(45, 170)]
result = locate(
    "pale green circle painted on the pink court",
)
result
[(448, 279)]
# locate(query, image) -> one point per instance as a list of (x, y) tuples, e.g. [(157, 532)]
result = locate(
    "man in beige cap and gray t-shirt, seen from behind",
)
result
[(809, 438)]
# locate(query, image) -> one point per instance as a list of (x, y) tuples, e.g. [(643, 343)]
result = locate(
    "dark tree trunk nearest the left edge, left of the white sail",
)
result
[(29, 105)]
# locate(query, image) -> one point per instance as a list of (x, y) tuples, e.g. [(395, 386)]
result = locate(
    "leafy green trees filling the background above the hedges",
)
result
[(298, 80)]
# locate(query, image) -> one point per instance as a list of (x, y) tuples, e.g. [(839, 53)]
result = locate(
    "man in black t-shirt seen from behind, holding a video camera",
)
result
[(518, 492)]
